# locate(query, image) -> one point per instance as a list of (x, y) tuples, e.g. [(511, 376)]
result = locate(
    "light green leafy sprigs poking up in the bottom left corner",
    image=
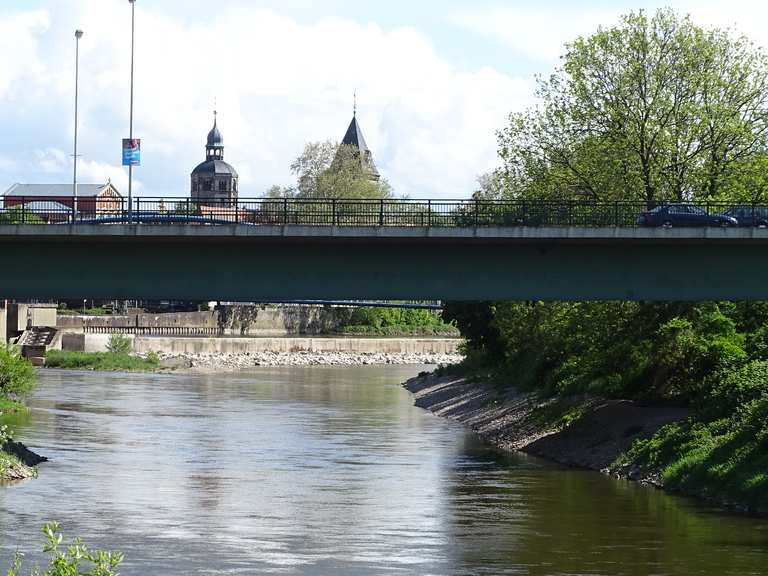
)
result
[(73, 560)]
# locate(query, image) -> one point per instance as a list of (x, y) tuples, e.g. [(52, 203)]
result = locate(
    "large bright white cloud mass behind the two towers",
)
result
[(278, 83)]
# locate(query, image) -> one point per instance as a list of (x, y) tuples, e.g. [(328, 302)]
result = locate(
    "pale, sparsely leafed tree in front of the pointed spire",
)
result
[(329, 170)]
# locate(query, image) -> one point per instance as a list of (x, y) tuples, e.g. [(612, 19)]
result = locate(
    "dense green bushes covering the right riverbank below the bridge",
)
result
[(711, 357)]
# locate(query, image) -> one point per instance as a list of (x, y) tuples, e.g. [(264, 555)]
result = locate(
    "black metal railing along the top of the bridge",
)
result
[(334, 212)]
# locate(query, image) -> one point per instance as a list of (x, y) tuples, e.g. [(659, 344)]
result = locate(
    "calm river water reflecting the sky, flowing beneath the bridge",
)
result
[(332, 471)]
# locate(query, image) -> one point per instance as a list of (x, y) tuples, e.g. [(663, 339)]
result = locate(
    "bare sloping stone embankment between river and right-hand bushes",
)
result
[(583, 432)]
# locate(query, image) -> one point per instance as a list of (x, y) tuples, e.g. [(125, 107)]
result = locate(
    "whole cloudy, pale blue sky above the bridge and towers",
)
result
[(435, 80)]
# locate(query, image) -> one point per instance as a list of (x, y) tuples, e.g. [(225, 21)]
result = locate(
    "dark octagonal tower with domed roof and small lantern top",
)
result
[(214, 181)]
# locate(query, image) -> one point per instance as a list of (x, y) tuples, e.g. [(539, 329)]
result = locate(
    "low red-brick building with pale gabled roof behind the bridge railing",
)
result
[(54, 201)]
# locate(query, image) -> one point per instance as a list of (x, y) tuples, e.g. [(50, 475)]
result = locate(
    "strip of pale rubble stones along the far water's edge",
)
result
[(229, 362)]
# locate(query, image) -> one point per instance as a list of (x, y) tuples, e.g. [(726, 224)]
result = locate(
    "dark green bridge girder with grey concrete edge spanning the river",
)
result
[(202, 264)]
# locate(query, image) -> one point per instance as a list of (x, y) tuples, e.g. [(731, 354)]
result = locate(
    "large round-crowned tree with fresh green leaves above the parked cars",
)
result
[(652, 109)]
